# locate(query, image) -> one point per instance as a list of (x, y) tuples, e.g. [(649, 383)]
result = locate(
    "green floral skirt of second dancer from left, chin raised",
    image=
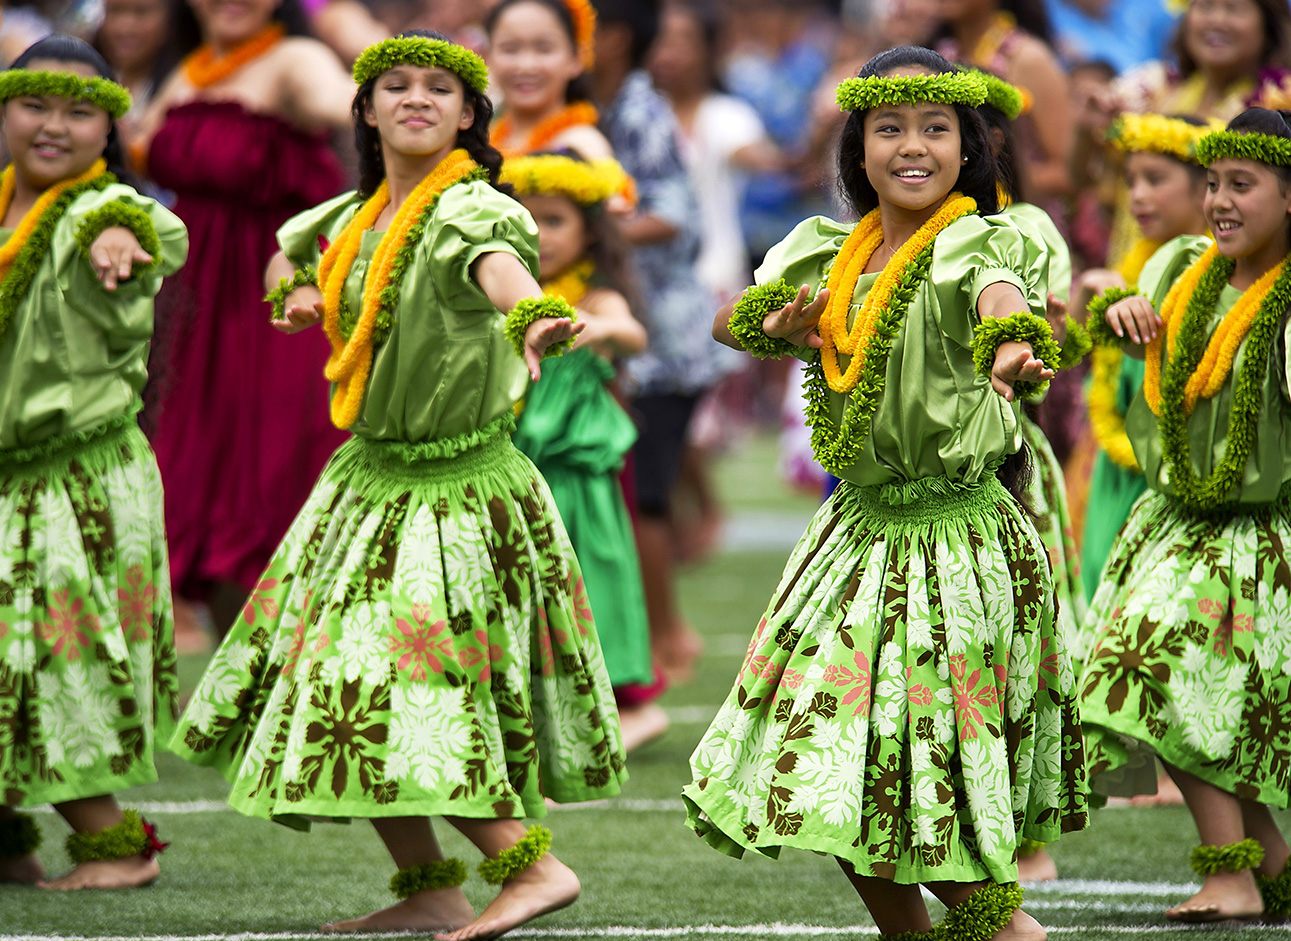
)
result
[(422, 645)]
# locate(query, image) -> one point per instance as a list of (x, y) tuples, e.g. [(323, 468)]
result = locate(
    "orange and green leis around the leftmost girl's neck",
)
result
[(23, 254)]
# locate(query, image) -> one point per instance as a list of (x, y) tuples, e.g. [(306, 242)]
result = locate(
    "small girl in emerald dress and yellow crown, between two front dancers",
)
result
[(573, 428)]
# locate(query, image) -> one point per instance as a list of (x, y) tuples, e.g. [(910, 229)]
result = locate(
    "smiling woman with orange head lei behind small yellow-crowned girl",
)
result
[(540, 52)]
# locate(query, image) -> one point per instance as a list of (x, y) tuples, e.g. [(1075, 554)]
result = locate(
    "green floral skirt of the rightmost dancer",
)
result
[(1191, 654)]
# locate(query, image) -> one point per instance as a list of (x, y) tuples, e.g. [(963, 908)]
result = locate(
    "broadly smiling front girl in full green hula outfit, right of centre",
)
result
[(907, 704)]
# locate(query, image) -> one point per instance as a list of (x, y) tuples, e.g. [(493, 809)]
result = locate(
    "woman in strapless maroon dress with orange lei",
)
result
[(242, 430)]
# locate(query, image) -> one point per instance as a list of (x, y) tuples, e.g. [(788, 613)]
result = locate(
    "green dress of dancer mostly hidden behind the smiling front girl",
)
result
[(1048, 492)]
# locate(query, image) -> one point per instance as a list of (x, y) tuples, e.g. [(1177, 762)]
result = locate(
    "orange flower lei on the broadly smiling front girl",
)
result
[(849, 265)]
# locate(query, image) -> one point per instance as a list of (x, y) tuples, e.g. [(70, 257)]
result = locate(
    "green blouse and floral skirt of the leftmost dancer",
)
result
[(87, 651)]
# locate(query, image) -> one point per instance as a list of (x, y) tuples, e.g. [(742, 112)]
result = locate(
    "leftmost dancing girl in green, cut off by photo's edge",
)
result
[(87, 658)]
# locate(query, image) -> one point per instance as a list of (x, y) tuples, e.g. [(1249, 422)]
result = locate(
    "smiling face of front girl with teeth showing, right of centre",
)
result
[(912, 152)]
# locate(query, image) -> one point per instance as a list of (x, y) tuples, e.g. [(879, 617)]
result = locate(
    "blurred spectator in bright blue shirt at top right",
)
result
[(1123, 33)]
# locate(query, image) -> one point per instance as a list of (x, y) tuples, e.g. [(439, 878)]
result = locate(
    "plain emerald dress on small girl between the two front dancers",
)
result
[(578, 436)]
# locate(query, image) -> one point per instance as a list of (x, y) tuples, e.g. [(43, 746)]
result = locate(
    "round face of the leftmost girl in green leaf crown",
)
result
[(54, 139)]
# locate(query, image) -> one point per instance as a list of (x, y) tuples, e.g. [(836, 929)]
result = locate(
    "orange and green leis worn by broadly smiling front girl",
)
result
[(871, 339)]
